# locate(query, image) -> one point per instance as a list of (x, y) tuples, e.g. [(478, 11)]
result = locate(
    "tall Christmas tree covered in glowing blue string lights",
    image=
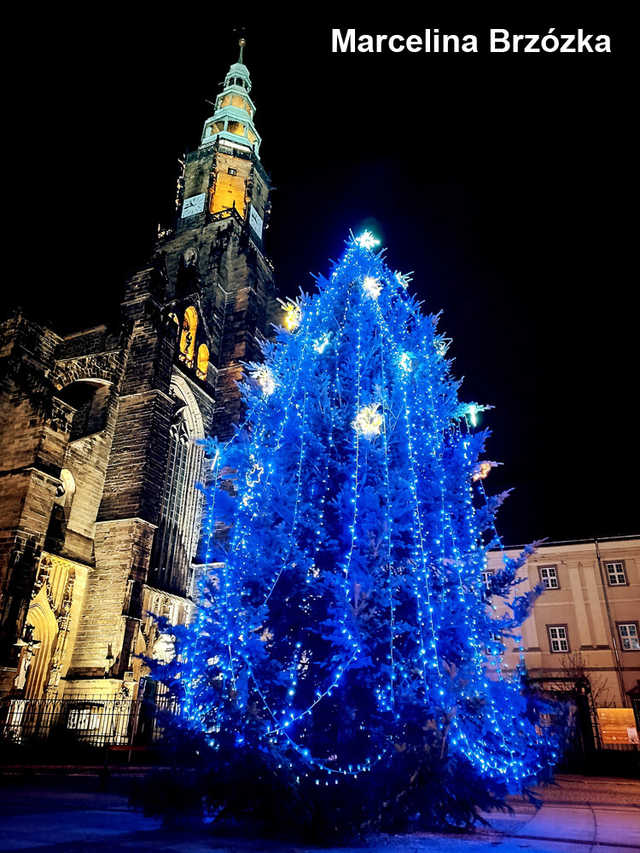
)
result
[(345, 642)]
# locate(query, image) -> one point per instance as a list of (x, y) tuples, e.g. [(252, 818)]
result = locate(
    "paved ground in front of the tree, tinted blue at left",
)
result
[(73, 814)]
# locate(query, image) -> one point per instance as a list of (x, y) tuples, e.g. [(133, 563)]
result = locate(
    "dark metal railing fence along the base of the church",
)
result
[(91, 721)]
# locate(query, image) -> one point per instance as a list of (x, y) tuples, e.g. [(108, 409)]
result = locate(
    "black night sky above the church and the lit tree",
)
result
[(504, 182)]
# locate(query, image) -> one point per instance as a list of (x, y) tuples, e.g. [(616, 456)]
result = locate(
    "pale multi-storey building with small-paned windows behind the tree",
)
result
[(584, 633)]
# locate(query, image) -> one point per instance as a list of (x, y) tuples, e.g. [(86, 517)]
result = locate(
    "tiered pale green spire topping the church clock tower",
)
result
[(232, 120)]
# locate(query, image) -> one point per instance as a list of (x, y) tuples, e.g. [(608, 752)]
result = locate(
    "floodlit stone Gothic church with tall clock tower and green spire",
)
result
[(99, 517)]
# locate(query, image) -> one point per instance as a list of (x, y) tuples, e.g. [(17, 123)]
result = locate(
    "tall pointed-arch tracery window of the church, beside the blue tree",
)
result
[(176, 538)]
